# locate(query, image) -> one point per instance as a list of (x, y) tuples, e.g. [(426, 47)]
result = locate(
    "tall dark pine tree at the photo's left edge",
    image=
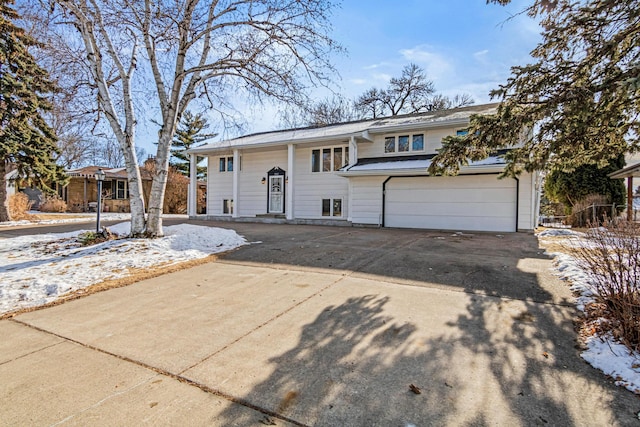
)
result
[(25, 138)]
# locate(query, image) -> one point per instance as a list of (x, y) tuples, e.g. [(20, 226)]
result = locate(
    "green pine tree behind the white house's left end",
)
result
[(188, 134)]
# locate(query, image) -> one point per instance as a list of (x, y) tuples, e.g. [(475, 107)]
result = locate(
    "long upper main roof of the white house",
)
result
[(358, 129)]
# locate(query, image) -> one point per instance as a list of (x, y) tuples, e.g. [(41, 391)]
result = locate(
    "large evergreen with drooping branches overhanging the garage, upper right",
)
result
[(577, 104)]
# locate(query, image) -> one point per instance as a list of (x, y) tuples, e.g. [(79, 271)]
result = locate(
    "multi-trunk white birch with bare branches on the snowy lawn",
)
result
[(194, 50)]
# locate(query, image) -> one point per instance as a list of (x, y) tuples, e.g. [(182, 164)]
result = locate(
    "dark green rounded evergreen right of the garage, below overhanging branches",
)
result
[(569, 188)]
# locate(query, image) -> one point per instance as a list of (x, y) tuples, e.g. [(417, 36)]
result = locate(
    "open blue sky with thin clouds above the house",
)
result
[(465, 46)]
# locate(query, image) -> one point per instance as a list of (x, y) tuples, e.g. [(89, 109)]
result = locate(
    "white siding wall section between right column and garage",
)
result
[(312, 187)]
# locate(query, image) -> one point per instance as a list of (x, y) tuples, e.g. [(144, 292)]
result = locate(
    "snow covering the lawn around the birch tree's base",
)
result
[(37, 269)]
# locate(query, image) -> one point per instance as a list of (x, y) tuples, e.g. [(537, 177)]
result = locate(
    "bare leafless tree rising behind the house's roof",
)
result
[(410, 93)]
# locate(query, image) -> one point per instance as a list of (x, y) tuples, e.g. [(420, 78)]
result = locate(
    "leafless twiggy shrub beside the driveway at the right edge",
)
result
[(612, 256)]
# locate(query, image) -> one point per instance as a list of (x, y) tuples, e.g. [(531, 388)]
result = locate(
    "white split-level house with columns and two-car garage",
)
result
[(365, 173)]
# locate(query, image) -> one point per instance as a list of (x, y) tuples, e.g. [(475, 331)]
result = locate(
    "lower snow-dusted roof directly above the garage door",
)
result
[(415, 165)]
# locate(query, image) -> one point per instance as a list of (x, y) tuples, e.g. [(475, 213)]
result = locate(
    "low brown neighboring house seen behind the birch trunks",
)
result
[(81, 192)]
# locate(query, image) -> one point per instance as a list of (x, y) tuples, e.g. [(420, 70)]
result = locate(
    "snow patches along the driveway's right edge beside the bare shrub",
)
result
[(603, 352)]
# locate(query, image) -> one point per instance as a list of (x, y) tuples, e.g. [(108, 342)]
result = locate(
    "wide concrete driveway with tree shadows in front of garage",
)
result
[(318, 326)]
